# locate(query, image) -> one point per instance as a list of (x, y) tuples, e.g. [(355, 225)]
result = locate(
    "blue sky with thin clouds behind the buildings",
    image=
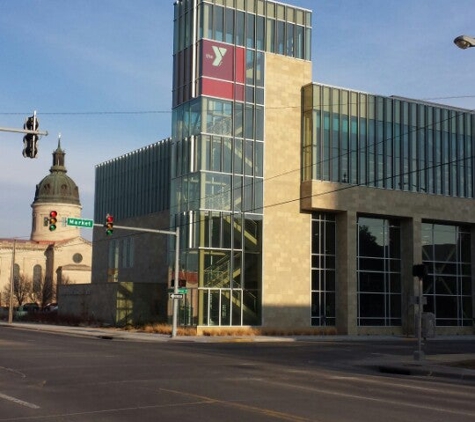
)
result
[(100, 73)]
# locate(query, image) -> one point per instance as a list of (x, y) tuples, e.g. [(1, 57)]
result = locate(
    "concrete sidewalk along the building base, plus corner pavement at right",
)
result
[(443, 365)]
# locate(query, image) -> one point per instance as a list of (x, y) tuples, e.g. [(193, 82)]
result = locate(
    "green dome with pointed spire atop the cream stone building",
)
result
[(57, 186)]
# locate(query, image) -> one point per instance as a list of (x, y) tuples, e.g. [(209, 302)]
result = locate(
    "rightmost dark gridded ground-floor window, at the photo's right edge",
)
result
[(446, 251)]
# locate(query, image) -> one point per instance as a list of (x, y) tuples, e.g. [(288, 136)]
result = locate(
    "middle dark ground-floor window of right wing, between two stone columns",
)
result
[(379, 272)]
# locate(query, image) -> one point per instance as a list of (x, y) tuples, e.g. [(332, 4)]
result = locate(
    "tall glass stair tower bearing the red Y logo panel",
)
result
[(218, 147)]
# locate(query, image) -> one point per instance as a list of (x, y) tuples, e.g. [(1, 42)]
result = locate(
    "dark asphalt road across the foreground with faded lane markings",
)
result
[(50, 377)]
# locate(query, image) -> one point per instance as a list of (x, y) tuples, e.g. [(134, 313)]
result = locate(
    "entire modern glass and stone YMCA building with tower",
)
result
[(300, 206)]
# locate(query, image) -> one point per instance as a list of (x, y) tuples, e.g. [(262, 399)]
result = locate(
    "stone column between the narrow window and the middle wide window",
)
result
[(346, 278)]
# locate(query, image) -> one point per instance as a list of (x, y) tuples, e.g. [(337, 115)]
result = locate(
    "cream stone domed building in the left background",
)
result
[(56, 253)]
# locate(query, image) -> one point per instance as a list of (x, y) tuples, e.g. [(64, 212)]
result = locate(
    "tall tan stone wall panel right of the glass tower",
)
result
[(286, 233)]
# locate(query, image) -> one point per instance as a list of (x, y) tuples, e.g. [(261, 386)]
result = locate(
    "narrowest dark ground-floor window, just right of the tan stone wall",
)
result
[(323, 269)]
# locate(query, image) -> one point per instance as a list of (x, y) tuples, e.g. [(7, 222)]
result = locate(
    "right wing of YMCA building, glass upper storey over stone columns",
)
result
[(409, 167)]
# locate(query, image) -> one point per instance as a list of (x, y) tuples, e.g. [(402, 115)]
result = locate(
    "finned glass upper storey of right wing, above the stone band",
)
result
[(387, 142)]
